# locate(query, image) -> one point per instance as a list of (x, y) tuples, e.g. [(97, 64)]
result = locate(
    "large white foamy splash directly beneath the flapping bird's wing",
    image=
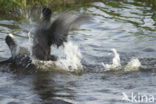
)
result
[(70, 61)]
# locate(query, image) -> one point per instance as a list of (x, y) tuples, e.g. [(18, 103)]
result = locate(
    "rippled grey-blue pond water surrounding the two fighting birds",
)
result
[(118, 56)]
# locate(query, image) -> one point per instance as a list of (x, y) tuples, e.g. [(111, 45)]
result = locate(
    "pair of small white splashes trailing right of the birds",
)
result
[(133, 64)]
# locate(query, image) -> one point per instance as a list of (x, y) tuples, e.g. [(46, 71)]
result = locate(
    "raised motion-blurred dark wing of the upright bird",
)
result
[(63, 24)]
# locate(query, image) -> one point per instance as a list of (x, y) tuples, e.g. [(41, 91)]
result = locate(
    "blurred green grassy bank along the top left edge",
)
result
[(17, 9)]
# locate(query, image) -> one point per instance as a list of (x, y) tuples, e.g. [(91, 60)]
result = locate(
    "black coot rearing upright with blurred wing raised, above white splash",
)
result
[(47, 34)]
